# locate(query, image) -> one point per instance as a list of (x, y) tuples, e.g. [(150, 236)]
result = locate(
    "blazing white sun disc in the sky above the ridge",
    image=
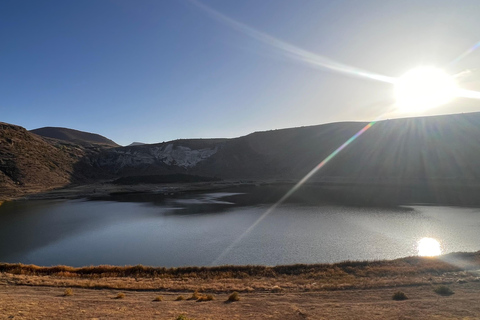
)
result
[(424, 88)]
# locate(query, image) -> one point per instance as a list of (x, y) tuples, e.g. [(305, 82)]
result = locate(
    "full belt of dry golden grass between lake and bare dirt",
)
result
[(246, 279)]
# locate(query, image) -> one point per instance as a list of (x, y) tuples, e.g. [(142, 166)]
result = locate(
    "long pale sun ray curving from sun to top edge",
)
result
[(292, 51)]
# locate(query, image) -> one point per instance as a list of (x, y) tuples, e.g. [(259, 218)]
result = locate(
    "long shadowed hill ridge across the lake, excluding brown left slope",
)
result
[(440, 148)]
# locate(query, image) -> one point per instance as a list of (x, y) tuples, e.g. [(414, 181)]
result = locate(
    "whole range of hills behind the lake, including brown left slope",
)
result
[(425, 159)]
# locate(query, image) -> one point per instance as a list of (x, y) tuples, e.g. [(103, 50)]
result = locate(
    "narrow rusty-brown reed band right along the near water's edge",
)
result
[(400, 267)]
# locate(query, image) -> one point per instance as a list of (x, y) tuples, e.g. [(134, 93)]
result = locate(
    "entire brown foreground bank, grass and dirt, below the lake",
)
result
[(355, 290)]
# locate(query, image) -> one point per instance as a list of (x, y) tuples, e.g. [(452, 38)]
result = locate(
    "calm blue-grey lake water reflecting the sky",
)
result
[(211, 228)]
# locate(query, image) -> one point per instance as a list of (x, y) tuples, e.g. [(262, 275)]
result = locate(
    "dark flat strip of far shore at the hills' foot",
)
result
[(336, 194)]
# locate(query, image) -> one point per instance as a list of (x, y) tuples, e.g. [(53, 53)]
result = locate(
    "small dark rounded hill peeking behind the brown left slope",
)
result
[(73, 136)]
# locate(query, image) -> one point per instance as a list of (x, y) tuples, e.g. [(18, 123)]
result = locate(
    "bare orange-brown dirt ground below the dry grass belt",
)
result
[(43, 302)]
